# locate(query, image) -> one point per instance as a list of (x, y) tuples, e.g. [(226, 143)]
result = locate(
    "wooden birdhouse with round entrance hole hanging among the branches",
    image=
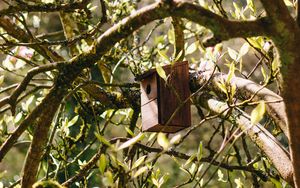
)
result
[(162, 103)]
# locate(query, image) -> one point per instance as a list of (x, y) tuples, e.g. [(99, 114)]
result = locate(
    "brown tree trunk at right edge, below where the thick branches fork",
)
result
[(290, 59)]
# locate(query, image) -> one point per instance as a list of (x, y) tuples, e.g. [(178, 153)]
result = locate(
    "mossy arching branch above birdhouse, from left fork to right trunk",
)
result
[(221, 27)]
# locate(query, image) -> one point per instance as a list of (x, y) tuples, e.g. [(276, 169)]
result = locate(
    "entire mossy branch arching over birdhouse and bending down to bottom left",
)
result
[(221, 27)]
